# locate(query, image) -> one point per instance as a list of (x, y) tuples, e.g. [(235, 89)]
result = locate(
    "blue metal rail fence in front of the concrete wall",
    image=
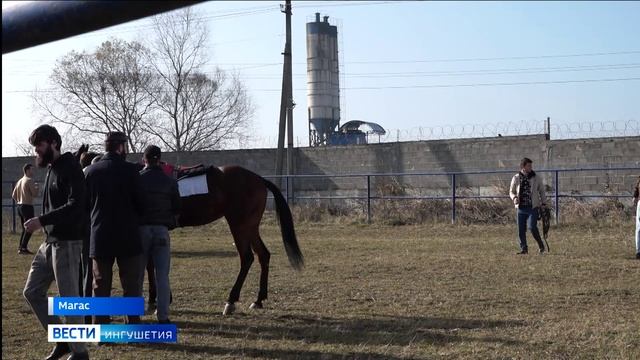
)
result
[(290, 195)]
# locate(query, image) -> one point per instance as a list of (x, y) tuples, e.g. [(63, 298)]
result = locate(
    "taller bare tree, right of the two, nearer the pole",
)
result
[(201, 111)]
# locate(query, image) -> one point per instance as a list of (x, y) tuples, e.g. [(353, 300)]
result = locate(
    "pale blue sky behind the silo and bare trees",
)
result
[(404, 64)]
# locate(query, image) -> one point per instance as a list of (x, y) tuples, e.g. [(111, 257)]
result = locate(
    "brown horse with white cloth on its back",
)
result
[(240, 196)]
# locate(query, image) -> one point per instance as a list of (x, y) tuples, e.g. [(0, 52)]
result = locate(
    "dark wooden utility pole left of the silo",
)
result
[(286, 98)]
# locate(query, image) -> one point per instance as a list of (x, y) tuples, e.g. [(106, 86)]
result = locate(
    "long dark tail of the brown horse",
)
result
[(286, 226)]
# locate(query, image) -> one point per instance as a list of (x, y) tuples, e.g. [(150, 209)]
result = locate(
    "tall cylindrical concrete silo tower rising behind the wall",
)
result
[(323, 88)]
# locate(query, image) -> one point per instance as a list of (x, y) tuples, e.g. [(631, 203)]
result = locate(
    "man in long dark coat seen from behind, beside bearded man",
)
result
[(116, 202)]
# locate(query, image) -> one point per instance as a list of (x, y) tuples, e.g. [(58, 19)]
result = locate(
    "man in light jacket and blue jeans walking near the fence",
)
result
[(527, 192)]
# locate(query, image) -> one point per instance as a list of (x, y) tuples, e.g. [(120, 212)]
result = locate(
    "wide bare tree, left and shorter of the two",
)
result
[(107, 90)]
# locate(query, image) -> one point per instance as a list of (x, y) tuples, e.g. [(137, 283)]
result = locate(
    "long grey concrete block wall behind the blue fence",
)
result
[(426, 156)]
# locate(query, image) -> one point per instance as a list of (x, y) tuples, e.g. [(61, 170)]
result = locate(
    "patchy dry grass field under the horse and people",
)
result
[(382, 292)]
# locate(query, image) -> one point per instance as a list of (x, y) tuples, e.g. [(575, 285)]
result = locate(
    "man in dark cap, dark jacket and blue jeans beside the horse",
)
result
[(161, 208)]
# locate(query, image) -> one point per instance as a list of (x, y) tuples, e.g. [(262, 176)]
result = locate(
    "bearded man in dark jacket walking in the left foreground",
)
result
[(58, 258)]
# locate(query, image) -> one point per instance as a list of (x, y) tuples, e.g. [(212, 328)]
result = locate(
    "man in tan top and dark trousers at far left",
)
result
[(25, 191)]
